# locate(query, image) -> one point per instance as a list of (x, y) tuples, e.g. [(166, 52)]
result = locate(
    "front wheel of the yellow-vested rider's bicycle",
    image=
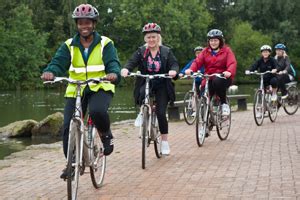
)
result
[(73, 160)]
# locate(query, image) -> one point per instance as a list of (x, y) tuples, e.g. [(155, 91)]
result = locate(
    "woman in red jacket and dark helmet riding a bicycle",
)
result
[(217, 58)]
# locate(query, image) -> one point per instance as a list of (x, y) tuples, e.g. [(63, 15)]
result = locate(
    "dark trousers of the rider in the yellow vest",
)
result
[(97, 103)]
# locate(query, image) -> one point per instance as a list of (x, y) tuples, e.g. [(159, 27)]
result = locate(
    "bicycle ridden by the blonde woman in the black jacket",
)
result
[(149, 130)]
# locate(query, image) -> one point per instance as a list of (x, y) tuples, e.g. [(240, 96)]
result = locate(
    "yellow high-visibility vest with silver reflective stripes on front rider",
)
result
[(94, 69)]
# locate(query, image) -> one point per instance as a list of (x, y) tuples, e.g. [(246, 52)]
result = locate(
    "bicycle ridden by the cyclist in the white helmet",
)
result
[(262, 101)]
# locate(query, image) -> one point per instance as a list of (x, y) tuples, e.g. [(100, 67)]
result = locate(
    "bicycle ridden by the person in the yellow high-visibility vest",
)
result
[(85, 147)]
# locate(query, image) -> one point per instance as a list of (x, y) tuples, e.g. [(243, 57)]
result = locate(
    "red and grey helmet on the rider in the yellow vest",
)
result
[(85, 11)]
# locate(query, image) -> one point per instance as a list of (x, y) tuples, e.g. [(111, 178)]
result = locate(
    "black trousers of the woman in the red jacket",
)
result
[(219, 86)]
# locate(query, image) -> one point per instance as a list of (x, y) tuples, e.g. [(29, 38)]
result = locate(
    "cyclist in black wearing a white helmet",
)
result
[(267, 63)]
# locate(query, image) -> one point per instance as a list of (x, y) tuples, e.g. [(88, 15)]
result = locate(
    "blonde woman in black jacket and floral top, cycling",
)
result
[(155, 58)]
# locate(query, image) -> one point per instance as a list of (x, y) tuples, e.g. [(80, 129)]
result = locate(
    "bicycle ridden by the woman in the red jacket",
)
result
[(209, 113)]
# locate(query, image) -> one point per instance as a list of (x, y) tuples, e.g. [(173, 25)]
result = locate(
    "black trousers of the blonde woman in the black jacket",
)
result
[(162, 99)]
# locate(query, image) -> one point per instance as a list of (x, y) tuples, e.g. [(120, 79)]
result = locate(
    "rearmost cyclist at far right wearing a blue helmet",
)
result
[(287, 72)]
